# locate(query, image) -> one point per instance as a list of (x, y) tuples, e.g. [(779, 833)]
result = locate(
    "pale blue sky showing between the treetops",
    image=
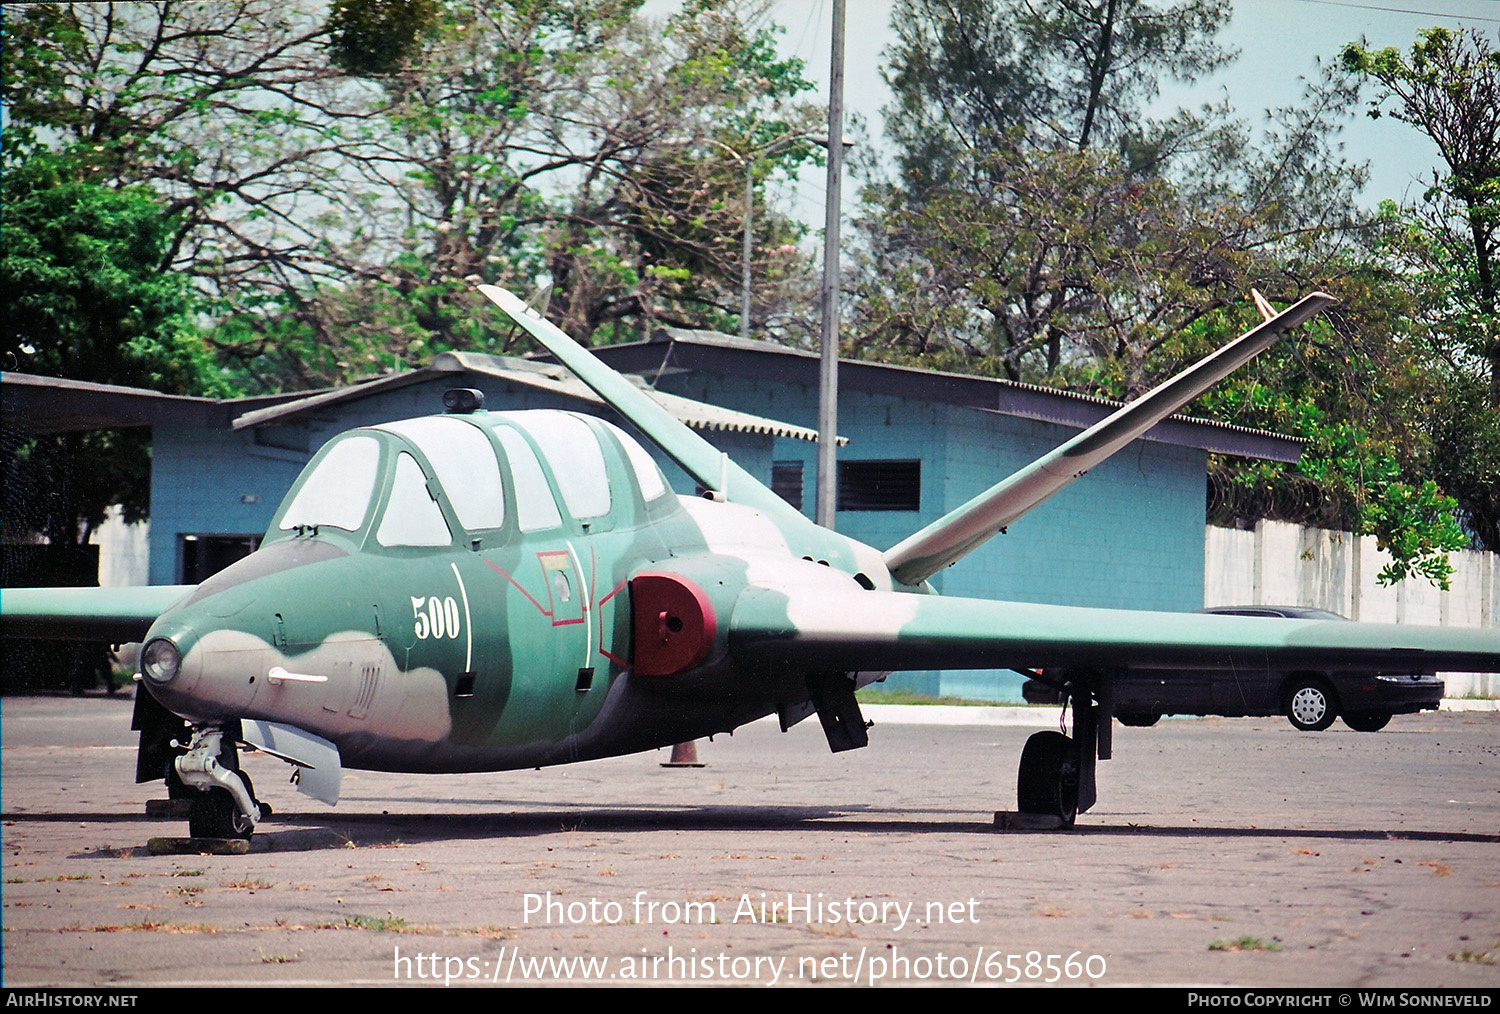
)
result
[(1280, 43)]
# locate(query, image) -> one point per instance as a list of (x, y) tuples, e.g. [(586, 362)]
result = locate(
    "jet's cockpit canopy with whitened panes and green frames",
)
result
[(482, 478)]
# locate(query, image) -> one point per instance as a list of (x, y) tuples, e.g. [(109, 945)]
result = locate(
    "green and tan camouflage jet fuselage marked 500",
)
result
[(502, 649)]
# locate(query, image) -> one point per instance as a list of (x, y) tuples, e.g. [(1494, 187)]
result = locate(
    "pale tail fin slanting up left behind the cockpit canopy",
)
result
[(698, 458)]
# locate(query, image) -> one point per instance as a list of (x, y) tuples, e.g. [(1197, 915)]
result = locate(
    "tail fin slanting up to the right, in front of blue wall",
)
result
[(964, 530)]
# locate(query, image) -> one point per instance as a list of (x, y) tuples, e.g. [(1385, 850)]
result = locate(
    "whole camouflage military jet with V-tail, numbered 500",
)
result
[(485, 592)]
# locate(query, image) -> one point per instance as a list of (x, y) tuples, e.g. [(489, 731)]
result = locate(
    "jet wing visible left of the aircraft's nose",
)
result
[(86, 614)]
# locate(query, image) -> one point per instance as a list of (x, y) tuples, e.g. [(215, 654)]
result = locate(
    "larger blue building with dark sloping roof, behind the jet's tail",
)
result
[(1127, 536)]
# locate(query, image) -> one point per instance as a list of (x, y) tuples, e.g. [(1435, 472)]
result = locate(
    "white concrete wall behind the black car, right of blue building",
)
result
[(1282, 565)]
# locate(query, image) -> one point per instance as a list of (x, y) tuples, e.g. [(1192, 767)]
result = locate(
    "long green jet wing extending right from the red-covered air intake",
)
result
[(887, 632)]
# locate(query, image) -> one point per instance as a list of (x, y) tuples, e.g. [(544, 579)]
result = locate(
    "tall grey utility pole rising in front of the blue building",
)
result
[(829, 371)]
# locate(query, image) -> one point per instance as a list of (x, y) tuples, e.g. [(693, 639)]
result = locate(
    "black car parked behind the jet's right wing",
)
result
[(1310, 700)]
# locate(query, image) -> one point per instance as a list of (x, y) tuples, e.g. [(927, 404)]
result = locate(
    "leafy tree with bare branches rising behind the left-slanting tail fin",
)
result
[(587, 145)]
